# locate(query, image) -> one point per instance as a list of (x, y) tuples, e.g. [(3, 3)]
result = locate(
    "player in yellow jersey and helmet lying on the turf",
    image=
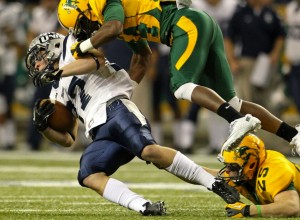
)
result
[(265, 177)]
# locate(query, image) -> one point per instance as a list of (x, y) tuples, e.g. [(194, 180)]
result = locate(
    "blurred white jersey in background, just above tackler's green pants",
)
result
[(221, 12)]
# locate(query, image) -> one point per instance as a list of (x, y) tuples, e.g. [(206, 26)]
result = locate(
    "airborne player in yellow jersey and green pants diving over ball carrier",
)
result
[(198, 66)]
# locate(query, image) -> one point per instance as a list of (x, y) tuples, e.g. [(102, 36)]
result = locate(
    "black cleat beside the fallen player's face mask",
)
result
[(228, 193)]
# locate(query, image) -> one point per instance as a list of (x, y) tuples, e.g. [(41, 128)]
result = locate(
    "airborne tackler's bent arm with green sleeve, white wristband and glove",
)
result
[(112, 27)]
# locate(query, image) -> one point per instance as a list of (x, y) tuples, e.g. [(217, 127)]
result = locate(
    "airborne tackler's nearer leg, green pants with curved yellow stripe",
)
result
[(193, 35)]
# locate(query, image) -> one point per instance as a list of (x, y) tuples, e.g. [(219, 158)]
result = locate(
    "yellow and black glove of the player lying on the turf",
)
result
[(238, 210)]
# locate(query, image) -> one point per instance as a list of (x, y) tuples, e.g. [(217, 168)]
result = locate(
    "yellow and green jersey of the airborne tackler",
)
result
[(141, 17)]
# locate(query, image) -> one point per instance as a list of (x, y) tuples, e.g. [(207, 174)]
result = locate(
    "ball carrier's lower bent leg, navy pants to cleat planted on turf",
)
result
[(100, 160)]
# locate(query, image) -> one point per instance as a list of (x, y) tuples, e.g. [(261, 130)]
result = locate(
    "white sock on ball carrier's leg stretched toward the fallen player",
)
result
[(188, 170)]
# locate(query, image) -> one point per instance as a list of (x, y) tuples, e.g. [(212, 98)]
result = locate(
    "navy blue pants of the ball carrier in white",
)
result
[(115, 143)]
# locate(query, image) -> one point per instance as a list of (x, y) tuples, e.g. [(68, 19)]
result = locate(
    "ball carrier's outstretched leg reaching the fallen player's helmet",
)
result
[(127, 125)]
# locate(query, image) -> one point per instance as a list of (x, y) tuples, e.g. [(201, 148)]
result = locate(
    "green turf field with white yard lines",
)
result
[(44, 186)]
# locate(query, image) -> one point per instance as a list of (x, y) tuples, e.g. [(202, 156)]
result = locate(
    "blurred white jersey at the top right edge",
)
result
[(293, 37)]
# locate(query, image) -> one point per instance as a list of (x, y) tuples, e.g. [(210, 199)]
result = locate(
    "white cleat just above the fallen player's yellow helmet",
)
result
[(239, 128)]
